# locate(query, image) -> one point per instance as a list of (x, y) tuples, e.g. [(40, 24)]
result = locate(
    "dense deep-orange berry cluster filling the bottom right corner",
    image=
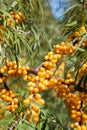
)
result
[(76, 105)]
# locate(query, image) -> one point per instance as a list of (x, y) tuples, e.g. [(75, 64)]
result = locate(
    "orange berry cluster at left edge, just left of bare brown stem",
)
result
[(13, 69)]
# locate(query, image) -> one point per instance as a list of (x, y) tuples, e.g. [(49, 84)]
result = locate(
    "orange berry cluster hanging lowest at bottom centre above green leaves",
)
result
[(32, 113)]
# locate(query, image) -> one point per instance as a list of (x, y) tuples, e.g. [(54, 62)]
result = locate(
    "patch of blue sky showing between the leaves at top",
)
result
[(57, 7)]
